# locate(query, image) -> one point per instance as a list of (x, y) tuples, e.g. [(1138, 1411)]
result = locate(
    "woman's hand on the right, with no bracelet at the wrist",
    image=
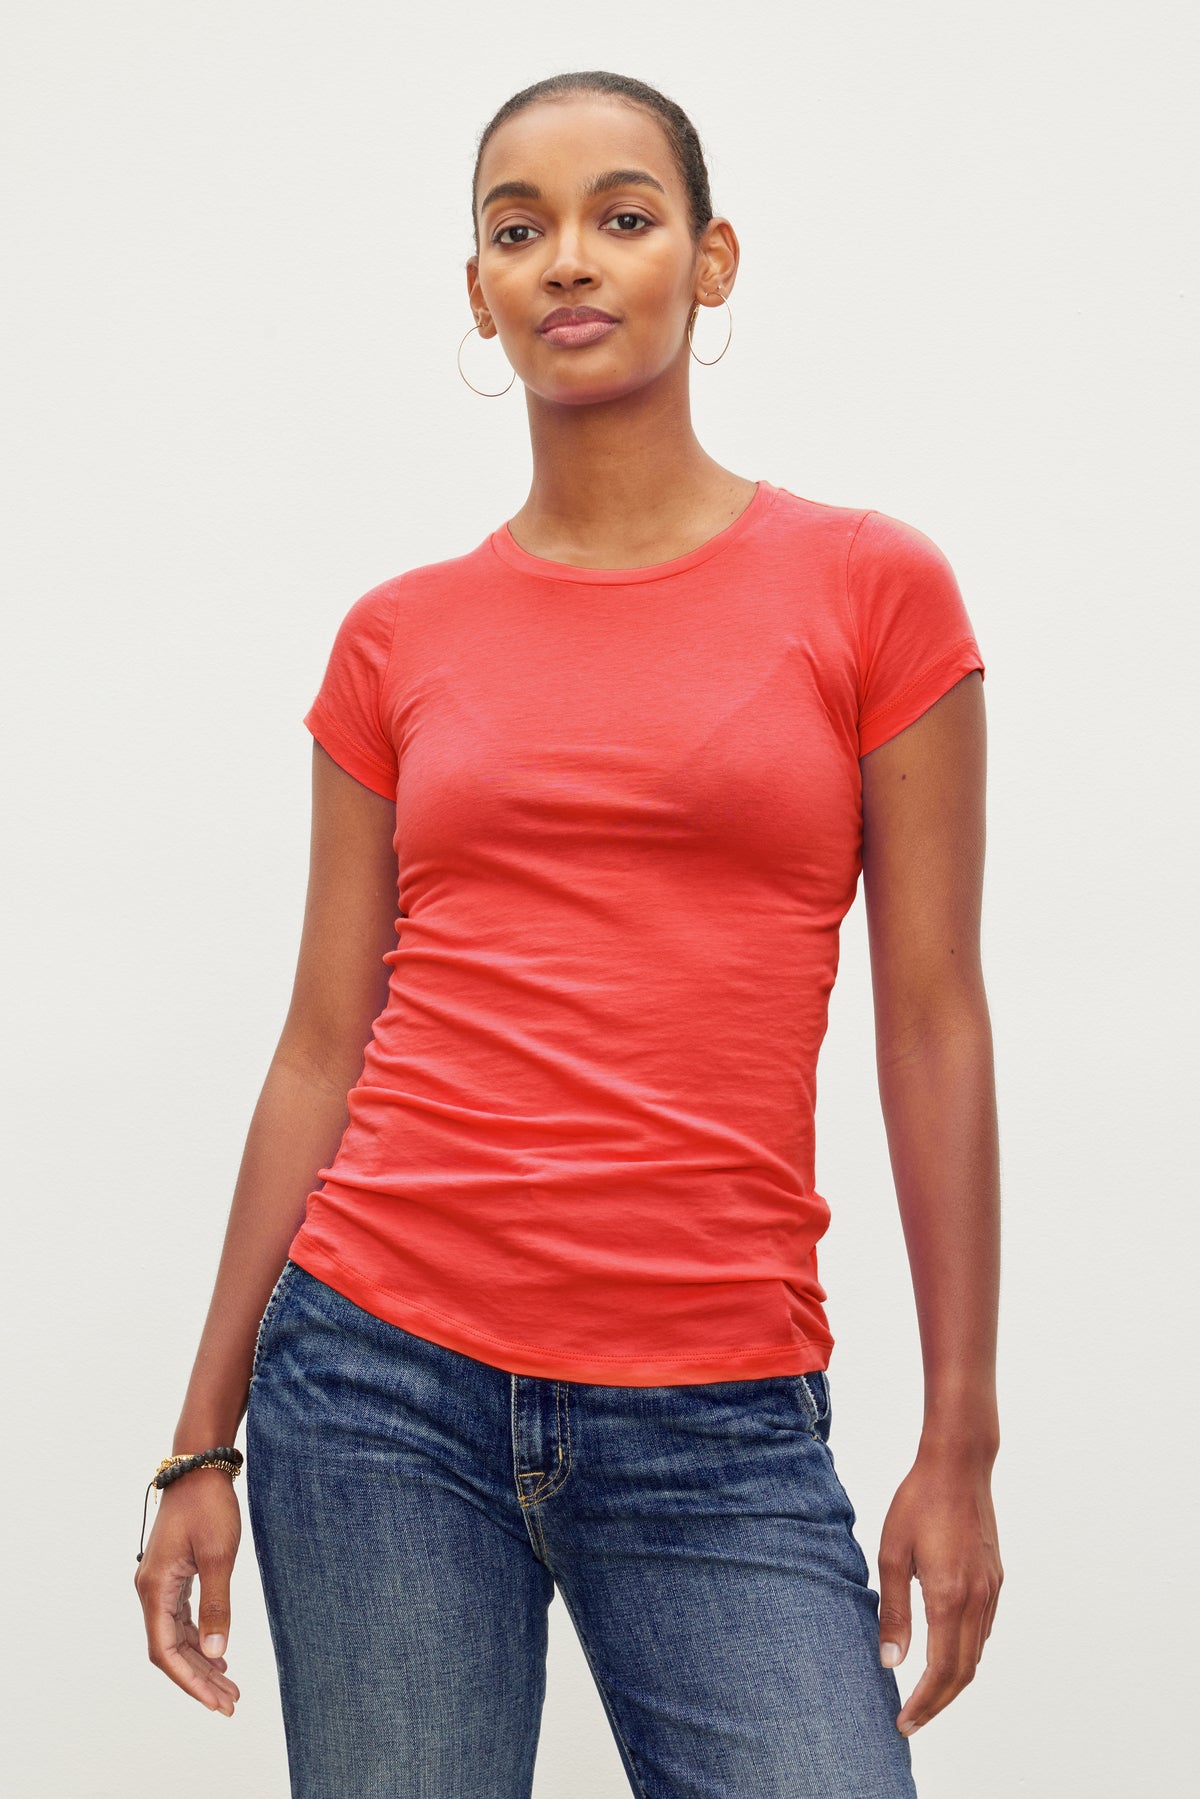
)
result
[(940, 1528)]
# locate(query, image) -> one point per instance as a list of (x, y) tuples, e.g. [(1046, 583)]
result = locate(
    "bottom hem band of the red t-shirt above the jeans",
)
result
[(800, 1357)]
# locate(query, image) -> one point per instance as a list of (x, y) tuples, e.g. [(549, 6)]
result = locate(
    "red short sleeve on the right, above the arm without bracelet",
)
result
[(911, 623)]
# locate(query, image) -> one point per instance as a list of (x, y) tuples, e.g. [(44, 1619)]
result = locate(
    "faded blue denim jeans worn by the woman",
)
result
[(415, 1514)]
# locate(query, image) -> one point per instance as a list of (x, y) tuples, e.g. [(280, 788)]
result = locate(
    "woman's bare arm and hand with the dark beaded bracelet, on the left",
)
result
[(339, 992)]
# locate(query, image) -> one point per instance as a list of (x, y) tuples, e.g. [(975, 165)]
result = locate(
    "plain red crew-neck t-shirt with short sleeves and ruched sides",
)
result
[(629, 825)]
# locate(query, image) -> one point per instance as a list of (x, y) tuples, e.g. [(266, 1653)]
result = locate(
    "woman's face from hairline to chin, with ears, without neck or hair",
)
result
[(625, 251)]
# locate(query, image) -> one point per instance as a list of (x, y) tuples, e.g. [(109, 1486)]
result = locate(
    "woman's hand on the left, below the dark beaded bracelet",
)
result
[(197, 1534)]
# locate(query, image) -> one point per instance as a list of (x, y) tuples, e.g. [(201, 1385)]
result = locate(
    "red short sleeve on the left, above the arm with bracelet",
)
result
[(348, 715)]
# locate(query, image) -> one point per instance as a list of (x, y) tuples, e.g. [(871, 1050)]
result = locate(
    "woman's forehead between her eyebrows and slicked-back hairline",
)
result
[(560, 143)]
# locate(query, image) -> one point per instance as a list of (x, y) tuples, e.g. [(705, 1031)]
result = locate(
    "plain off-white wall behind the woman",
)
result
[(235, 242)]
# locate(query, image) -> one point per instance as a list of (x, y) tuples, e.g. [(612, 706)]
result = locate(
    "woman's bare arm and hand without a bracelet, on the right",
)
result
[(924, 868)]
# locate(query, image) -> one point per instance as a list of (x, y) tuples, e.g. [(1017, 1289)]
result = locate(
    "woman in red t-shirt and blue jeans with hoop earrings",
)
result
[(589, 807)]
